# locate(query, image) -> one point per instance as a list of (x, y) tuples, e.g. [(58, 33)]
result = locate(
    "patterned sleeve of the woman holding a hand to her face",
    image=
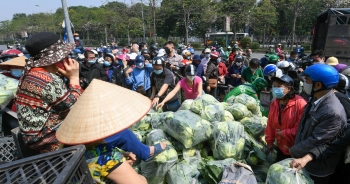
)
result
[(58, 96)]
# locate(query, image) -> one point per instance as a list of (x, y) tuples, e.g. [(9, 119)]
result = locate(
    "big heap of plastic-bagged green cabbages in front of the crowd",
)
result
[(203, 137)]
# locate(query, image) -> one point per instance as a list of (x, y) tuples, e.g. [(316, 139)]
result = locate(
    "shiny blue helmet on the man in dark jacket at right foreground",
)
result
[(326, 74)]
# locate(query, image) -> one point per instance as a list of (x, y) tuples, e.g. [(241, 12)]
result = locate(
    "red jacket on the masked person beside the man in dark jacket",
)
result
[(290, 118)]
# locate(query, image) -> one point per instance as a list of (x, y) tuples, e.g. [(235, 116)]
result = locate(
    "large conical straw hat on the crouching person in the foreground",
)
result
[(104, 109)]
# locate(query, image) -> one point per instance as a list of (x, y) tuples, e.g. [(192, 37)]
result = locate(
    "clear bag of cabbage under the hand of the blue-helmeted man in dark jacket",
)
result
[(281, 173)]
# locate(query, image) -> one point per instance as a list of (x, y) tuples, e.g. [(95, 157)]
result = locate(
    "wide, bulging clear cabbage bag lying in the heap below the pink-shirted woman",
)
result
[(188, 128)]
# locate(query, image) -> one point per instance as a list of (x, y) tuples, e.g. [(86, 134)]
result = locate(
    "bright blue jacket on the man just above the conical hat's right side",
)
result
[(140, 77)]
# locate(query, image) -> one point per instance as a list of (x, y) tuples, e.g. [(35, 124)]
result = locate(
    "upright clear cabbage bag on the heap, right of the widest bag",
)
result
[(229, 140)]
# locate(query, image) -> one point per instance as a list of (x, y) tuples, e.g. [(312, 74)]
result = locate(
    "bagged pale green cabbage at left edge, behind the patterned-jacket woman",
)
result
[(8, 88)]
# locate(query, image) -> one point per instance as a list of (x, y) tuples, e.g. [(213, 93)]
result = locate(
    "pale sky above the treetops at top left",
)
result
[(47, 6)]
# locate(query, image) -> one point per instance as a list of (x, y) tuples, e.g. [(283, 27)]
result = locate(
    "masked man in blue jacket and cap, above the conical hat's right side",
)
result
[(139, 77)]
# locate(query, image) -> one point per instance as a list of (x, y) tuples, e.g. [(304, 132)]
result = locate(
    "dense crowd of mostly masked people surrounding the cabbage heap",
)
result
[(307, 116)]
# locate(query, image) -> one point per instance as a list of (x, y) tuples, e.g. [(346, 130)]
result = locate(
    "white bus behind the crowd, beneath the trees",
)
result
[(212, 37)]
